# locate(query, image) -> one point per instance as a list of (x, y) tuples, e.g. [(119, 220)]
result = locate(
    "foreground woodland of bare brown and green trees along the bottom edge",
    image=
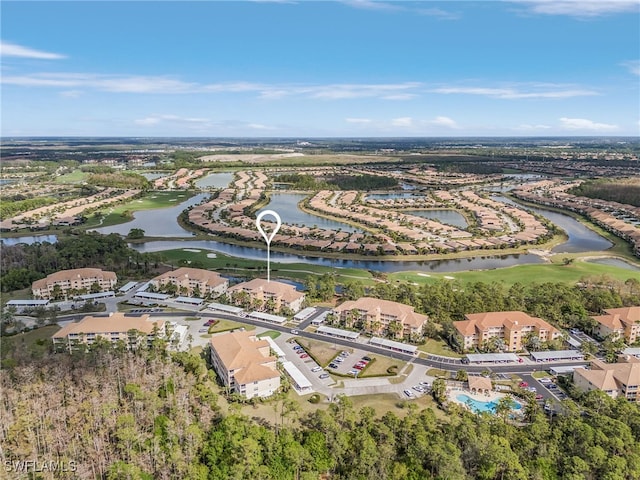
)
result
[(146, 415)]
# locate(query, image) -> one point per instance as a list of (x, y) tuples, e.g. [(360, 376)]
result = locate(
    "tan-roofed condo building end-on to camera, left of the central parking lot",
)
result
[(244, 364)]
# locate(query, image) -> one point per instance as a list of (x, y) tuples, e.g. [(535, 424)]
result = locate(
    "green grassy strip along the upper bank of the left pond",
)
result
[(121, 213)]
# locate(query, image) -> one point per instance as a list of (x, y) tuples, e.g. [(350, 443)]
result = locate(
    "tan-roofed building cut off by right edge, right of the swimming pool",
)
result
[(620, 379)]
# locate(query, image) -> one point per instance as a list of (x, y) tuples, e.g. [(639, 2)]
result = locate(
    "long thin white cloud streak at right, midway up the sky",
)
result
[(510, 93)]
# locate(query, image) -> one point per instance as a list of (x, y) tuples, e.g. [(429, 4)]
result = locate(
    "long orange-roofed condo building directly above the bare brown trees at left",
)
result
[(133, 331)]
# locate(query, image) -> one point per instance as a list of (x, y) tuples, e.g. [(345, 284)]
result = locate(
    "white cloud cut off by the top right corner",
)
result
[(580, 8)]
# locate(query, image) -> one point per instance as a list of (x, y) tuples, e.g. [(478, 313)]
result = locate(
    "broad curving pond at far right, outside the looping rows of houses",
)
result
[(581, 238)]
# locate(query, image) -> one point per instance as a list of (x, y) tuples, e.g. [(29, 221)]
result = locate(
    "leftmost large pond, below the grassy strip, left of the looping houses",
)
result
[(157, 222)]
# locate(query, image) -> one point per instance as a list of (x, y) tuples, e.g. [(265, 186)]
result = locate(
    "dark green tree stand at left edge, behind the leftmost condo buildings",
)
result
[(22, 264)]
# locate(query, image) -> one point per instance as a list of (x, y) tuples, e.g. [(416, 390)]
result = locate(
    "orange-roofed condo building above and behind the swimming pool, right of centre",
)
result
[(511, 328)]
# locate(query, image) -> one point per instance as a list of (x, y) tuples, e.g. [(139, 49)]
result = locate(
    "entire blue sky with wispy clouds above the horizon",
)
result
[(315, 69)]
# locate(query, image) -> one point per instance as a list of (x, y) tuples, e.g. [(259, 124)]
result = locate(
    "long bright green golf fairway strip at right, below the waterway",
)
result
[(525, 274)]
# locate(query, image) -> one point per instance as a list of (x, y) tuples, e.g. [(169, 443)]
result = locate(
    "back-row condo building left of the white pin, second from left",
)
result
[(192, 282)]
